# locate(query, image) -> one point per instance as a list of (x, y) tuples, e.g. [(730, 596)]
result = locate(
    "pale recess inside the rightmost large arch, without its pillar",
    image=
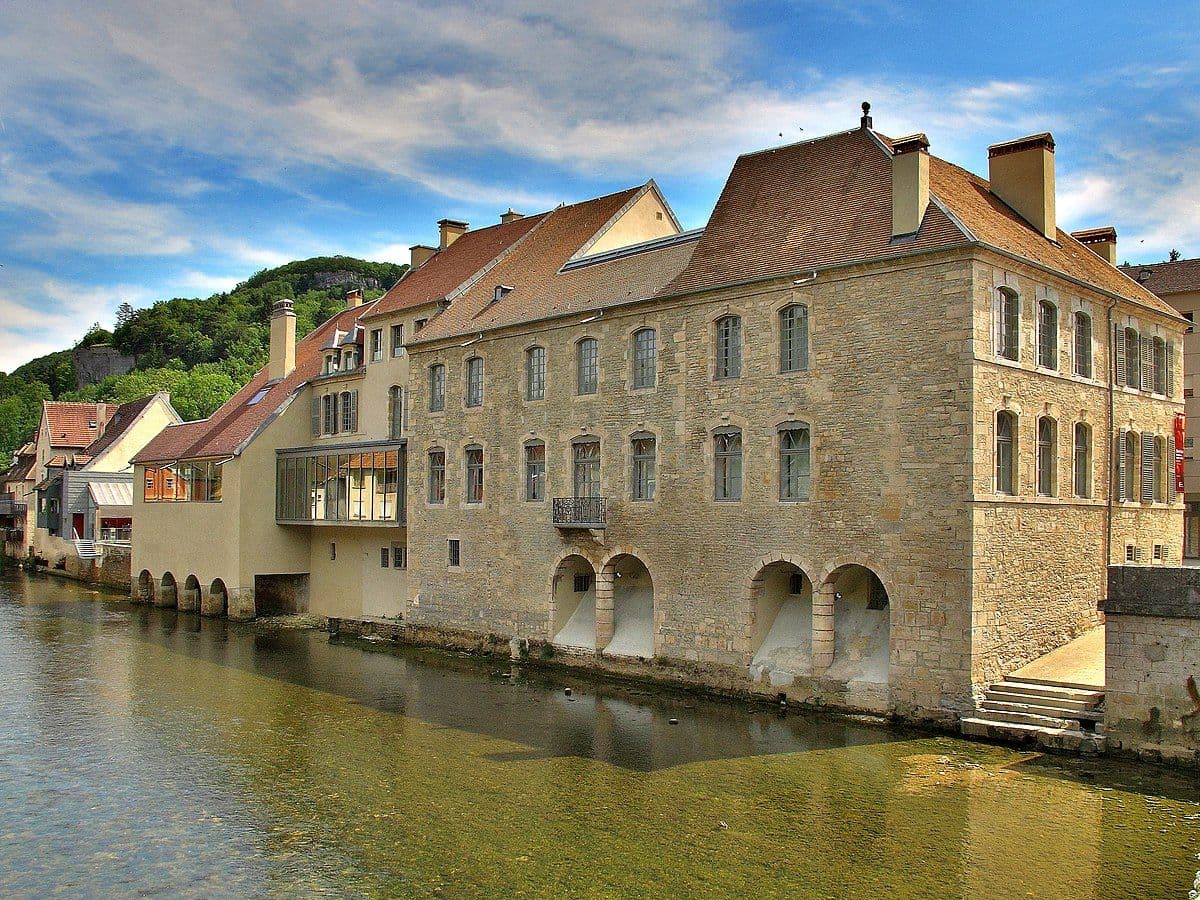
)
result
[(862, 627)]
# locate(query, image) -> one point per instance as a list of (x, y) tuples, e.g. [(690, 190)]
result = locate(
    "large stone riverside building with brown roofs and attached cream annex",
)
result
[(872, 437)]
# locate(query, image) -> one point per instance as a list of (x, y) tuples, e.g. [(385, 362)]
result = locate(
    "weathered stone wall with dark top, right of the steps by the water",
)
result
[(1153, 663)]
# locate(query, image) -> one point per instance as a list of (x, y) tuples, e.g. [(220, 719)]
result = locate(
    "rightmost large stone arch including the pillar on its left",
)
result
[(853, 625)]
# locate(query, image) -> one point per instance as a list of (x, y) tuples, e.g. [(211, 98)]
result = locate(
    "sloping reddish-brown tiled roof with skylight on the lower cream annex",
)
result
[(225, 433)]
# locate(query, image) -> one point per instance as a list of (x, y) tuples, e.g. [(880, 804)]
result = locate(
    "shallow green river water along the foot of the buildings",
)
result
[(147, 752)]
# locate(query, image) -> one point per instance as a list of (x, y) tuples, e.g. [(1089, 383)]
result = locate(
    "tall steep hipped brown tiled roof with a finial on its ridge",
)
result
[(829, 202)]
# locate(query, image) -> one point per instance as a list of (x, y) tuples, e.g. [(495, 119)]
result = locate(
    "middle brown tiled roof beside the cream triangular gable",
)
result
[(542, 290)]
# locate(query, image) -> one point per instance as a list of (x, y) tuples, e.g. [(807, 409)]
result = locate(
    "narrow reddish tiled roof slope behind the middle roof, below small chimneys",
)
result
[(453, 267)]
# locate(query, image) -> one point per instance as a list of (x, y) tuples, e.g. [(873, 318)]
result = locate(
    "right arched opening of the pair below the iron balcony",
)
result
[(626, 599)]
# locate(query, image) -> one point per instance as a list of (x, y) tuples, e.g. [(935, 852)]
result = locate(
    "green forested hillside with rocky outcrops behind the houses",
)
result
[(201, 351)]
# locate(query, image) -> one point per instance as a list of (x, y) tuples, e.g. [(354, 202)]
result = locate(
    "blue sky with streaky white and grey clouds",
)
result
[(165, 149)]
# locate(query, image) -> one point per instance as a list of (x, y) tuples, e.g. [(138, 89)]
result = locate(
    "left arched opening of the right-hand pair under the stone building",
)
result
[(782, 620)]
